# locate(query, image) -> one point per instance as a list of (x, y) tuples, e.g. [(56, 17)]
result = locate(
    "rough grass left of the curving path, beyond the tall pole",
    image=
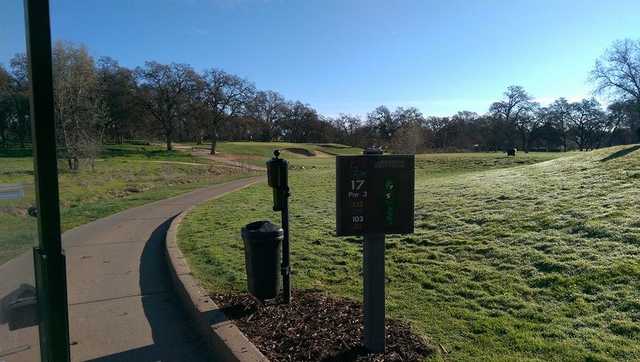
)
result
[(125, 176)]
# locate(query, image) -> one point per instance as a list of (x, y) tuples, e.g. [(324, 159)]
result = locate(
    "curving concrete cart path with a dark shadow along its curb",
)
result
[(121, 306)]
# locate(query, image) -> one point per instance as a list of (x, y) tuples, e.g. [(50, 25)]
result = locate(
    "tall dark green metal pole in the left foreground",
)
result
[(49, 260)]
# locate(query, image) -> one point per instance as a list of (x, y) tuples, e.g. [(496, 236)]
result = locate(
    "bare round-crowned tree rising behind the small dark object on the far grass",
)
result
[(516, 110)]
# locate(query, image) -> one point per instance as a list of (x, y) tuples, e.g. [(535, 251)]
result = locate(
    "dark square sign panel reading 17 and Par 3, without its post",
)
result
[(375, 194)]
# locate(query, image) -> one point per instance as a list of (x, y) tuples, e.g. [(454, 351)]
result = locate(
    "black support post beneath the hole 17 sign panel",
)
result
[(373, 269)]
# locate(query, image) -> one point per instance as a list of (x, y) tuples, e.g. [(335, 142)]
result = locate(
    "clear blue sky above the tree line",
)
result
[(348, 56)]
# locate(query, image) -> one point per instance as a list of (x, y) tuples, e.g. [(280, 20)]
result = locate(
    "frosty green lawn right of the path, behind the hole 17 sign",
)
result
[(512, 259)]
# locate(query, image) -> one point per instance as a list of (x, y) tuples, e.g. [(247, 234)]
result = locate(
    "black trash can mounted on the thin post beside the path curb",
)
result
[(262, 250)]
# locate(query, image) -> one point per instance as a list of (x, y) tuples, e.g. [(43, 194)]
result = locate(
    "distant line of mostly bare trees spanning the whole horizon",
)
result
[(100, 101)]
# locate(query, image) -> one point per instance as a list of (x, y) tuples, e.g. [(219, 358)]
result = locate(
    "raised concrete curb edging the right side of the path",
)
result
[(224, 339)]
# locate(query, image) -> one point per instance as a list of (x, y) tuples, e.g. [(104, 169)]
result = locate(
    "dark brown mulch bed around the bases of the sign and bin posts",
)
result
[(316, 327)]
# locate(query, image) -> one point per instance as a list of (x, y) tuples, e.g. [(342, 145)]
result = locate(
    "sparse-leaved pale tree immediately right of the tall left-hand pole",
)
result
[(79, 110)]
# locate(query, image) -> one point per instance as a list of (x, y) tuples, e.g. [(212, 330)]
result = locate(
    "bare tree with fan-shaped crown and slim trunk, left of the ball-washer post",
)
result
[(225, 96)]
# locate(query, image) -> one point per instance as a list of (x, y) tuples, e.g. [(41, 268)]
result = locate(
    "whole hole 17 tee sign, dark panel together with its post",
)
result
[(374, 196)]
